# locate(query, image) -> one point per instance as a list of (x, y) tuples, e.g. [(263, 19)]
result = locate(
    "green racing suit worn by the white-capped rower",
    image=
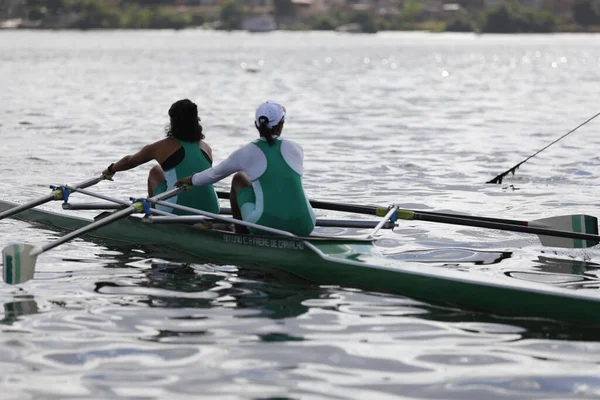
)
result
[(285, 205)]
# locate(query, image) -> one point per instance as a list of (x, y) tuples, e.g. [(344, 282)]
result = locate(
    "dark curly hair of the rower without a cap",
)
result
[(185, 123)]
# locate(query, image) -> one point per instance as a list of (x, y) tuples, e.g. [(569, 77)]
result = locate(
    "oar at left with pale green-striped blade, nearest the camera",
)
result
[(20, 258)]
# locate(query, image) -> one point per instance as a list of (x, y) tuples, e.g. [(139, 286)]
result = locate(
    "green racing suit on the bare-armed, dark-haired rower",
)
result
[(200, 197)]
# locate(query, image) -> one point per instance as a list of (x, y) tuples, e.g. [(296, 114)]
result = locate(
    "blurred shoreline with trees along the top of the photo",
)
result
[(308, 15)]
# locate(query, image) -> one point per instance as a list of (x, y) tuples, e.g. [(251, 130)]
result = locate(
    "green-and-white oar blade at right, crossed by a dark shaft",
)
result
[(571, 223)]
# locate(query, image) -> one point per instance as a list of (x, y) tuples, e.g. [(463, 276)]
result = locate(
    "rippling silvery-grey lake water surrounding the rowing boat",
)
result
[(417, 119)]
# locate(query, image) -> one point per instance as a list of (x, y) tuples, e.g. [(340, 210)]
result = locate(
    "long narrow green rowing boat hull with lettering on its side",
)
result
[(341, 261)]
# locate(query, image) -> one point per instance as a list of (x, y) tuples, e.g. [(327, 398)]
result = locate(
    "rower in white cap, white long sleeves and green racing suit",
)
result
[(267, 188)]
